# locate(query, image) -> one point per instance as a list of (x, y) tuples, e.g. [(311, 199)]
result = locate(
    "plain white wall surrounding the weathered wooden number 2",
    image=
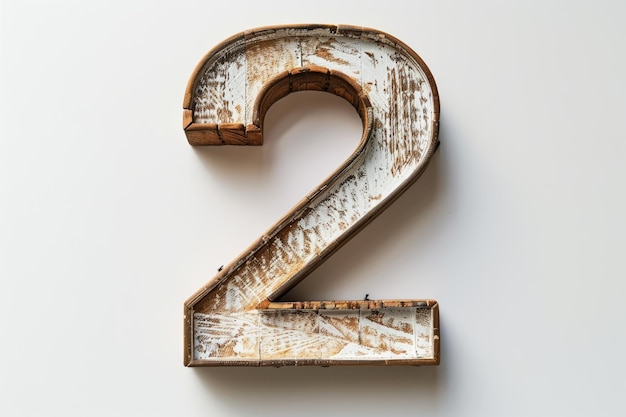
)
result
[(110, 220)]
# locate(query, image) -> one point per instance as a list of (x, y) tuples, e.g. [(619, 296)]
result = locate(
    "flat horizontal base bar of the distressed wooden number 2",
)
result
[(318, 333)]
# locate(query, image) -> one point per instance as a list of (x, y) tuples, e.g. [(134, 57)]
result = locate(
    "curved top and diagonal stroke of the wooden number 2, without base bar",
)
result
[(395, 95)]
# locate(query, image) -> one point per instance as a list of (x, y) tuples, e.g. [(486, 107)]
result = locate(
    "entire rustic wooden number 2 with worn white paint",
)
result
[(235, 318)]
